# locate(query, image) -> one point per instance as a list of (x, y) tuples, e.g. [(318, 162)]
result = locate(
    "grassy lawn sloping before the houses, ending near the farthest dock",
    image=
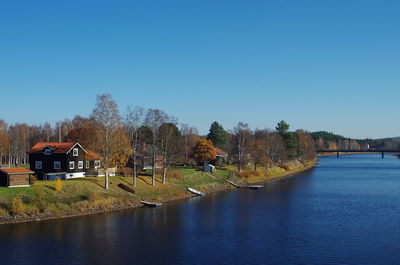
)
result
[(86, 194)]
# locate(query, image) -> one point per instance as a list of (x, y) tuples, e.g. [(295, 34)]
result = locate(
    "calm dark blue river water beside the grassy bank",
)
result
[(346, 211)]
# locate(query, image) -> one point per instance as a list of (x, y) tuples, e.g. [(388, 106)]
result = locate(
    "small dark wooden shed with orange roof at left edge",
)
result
[(15, 177)]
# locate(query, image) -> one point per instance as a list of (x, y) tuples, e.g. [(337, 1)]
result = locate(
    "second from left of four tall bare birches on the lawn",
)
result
[(134, 122)]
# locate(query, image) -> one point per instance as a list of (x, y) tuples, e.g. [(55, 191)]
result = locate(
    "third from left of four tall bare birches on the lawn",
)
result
[(154, 119)]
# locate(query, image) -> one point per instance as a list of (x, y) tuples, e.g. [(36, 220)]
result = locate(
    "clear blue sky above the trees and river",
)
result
[(319, 65)]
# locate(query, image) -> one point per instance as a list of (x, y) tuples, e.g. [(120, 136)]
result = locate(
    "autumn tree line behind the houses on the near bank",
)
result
[(122, 139)]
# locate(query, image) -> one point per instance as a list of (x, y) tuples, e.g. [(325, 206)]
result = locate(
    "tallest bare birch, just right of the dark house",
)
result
[(107, 116)]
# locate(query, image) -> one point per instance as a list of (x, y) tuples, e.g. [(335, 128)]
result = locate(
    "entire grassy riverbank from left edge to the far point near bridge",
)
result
[(87, 196)]
